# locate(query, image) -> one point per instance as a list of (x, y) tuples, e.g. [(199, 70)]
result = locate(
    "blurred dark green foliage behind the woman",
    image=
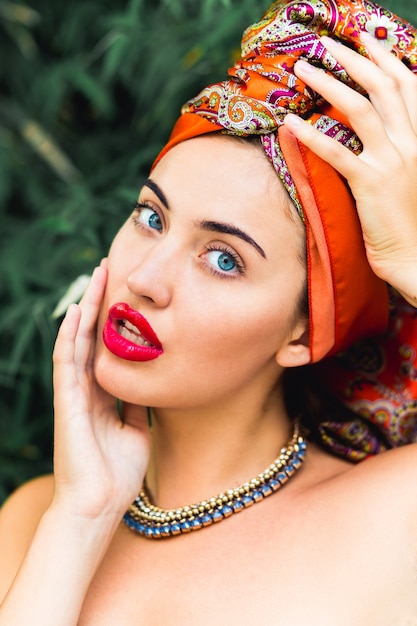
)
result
[(89, 90)]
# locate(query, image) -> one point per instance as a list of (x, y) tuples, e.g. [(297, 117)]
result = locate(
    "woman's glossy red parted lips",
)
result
[(123, 347)]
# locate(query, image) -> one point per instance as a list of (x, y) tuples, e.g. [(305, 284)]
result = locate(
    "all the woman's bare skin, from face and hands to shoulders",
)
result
[(338, 544)]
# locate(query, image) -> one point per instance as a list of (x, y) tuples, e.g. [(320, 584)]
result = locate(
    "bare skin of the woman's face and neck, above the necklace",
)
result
[(206, 321)]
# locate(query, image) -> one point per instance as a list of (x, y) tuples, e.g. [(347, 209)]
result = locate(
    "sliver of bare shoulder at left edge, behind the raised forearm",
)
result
[(19, 518)]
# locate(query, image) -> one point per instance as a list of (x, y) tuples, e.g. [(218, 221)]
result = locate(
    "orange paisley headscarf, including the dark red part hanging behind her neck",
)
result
[(347, 301)]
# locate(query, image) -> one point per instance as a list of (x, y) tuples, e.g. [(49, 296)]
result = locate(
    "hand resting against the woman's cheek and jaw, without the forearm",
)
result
[(99, 460)]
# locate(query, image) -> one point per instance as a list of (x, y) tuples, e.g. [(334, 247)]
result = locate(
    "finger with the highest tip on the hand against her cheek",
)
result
[(90, 307)]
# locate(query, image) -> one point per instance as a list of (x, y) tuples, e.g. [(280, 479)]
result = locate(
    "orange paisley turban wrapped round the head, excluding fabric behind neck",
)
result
[(347, 301)]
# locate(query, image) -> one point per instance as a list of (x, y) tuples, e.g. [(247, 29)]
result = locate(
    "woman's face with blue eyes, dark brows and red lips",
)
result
[(211, 259)]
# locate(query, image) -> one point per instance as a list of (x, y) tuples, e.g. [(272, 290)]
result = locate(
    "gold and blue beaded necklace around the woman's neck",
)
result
[(148, 520)]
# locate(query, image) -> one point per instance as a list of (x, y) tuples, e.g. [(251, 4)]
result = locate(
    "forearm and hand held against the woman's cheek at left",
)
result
[(99, 467)]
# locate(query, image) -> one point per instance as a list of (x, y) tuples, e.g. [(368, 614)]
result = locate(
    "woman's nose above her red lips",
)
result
[(152, 277)]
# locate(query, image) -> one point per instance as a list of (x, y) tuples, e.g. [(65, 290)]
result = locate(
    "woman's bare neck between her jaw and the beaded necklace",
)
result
[(197, 453)]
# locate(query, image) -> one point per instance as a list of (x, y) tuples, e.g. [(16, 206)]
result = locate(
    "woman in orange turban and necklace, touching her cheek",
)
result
[(198, 312)]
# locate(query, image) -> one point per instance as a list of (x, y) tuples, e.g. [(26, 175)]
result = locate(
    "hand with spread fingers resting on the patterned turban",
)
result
[(383, 177)]
